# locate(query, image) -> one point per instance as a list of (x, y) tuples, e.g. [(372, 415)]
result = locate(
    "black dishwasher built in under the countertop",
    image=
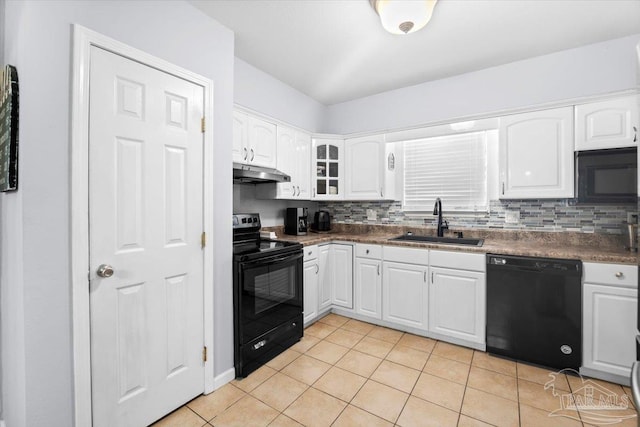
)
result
[(534, 310)]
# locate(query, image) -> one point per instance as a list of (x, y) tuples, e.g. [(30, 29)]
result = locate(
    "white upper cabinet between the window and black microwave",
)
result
[(536, 155)]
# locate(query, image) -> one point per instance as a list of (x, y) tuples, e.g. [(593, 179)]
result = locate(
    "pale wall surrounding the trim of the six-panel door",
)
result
[(34, 242)]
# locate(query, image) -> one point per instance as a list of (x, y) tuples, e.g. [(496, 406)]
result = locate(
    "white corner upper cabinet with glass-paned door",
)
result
[(327, 169)]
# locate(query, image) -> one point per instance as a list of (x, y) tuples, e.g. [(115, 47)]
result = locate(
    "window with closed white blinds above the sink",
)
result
[(453, 168)]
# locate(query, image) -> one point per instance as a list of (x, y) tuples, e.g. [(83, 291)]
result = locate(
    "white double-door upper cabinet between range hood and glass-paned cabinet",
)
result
[(294, 159)]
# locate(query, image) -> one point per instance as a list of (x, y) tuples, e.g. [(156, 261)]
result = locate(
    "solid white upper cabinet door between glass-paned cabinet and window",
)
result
[(363, 170)]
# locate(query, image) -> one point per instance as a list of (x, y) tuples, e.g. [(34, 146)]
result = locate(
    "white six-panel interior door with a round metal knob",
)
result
[(145, 220)]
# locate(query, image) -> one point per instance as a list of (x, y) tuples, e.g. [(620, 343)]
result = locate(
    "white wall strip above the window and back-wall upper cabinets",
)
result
[(594, 69)]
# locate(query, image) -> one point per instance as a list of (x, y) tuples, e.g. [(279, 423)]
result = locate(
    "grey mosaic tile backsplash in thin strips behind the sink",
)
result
[(534, 215)]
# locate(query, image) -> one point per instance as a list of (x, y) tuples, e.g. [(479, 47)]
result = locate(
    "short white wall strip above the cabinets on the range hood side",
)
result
[(263, 93)]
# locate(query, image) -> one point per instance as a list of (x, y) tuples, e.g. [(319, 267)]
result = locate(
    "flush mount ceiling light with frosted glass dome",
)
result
[(403, 16)]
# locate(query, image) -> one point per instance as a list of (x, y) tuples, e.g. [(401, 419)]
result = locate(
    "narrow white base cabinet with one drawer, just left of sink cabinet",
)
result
[(368, 281)]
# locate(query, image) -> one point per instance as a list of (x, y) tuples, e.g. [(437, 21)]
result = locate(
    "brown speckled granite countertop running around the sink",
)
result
[(568, 245)]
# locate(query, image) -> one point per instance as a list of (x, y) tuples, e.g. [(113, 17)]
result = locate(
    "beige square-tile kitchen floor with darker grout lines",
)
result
[(350, 373)]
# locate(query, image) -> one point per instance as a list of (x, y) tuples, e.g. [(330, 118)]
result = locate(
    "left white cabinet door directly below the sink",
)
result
[(405, 294)]
